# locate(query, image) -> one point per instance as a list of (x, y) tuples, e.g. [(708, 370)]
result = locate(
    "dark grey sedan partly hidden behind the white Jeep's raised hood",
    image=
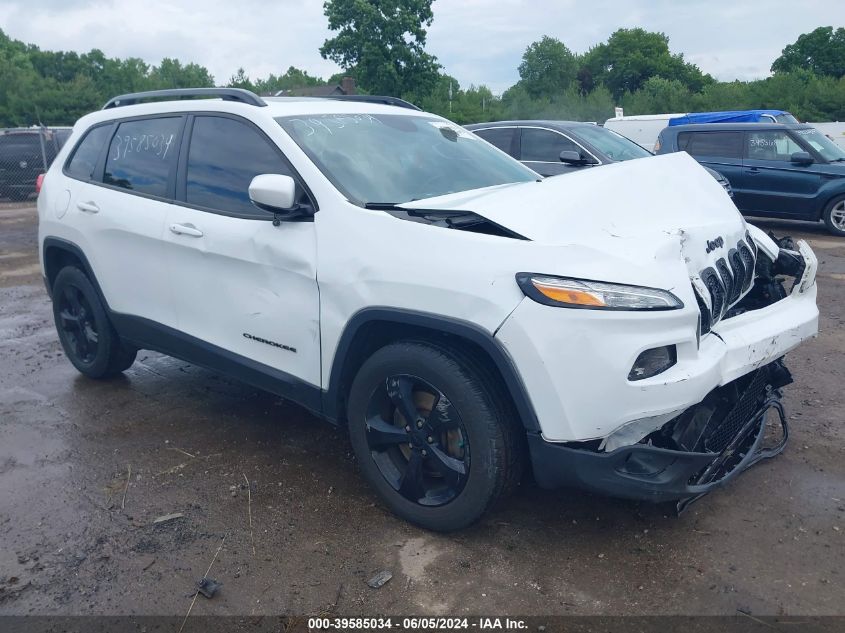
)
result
[(552, 148)]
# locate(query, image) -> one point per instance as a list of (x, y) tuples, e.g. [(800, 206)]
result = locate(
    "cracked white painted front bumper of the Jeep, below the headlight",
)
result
[(575, 363)]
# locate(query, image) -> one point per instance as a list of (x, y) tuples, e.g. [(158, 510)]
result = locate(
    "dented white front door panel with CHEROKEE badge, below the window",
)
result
[(248, 287)]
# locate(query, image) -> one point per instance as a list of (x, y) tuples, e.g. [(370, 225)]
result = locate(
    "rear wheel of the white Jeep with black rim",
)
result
[(85, 332)]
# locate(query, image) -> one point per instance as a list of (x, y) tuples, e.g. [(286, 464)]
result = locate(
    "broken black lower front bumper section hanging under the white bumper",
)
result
[(701, 449)]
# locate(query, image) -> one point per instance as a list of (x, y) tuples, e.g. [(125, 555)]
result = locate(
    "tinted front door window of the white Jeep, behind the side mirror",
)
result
[(225, 155)]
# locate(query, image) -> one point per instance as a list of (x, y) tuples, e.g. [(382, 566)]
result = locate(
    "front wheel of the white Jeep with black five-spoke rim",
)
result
[(430, 435)]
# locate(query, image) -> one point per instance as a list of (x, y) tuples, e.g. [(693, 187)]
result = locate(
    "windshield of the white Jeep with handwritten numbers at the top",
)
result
[(396, 158)]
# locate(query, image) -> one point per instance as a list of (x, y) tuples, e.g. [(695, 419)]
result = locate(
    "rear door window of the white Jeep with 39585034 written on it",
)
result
[(143, 154)]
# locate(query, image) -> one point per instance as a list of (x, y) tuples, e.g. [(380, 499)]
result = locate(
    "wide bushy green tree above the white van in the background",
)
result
[(632, 56)]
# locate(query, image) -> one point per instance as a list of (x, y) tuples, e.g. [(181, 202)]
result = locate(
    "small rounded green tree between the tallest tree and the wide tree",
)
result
[(547, 67)]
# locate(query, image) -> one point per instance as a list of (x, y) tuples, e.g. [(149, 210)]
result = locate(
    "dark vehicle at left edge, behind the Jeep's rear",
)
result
[(24, 154)]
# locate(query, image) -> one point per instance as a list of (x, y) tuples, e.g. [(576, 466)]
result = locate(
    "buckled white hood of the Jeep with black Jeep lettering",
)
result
[(639, 210)]
